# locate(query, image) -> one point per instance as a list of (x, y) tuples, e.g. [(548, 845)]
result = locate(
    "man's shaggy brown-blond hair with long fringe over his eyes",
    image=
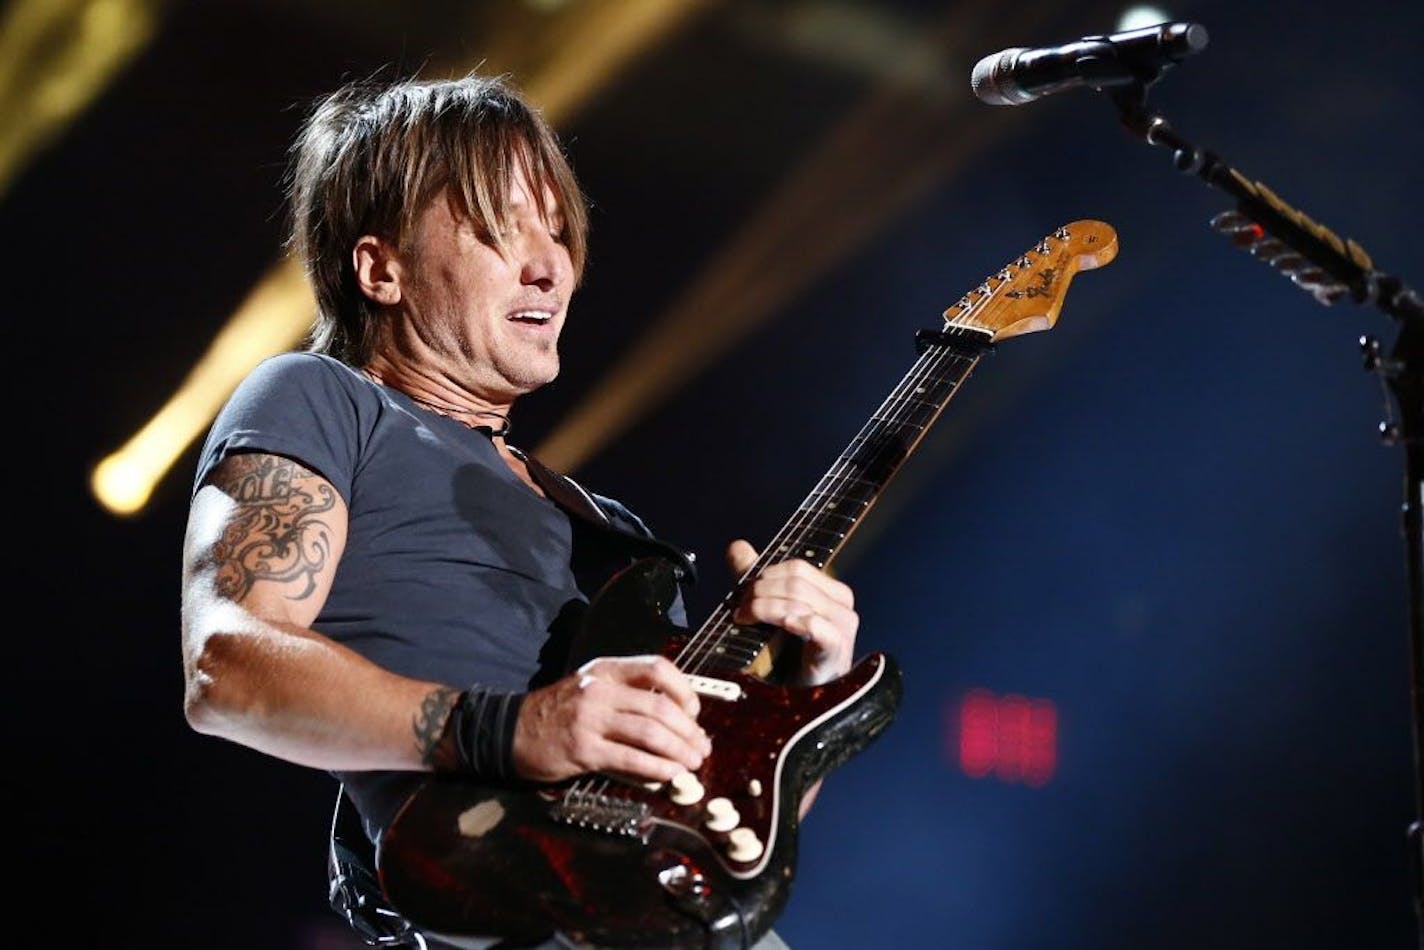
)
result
[(371, 157)]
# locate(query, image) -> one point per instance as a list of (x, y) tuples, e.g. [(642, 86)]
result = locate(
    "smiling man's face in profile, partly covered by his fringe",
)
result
[(488, 321)]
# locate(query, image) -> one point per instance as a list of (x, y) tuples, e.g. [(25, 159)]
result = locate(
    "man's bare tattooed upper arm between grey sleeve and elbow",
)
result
[(266, 535)]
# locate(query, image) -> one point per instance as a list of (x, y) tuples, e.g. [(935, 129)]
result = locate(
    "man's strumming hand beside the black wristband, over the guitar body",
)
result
[(629, 716)]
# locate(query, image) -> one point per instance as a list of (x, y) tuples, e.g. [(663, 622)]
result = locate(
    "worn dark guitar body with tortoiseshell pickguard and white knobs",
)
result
[(614, 864)]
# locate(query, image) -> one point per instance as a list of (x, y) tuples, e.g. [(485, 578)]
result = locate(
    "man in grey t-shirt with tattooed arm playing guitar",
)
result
[(377, 583)]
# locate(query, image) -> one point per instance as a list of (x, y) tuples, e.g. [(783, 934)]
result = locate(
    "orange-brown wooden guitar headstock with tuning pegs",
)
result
[(1029, 293)]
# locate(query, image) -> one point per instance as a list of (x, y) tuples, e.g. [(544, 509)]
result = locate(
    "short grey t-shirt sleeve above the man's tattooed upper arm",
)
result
[(295, 405)]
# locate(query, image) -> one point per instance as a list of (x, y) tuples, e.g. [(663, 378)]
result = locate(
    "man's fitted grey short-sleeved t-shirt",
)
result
[(454, 569)]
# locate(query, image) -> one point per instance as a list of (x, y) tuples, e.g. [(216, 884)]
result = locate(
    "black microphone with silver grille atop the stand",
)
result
[(1020, 75)]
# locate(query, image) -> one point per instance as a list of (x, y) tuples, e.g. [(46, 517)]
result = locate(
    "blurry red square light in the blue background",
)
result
[(1013, 738)]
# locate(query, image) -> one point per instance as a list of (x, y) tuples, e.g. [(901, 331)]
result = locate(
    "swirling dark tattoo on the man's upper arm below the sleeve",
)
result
[(277, 533)]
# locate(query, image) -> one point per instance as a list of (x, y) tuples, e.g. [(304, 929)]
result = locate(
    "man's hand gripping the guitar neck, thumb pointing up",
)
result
[(805, 602)]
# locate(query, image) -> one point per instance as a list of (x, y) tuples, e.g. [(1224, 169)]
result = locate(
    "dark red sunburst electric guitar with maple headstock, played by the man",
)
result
[(707, 860)]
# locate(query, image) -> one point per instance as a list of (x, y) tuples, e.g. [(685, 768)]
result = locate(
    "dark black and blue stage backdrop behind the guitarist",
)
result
[(1171, 516)]
